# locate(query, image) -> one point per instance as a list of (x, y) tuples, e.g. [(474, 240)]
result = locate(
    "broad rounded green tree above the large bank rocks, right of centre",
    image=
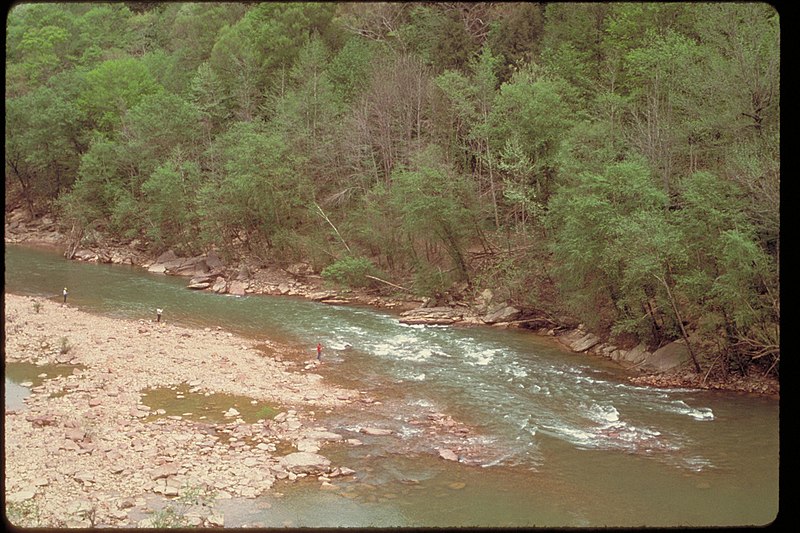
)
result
[(611, 240)]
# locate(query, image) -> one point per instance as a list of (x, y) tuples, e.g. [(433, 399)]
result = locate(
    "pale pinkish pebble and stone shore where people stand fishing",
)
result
[(86, 450)]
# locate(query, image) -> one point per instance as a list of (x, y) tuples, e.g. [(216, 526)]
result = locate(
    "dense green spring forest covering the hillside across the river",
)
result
[(613, 162)]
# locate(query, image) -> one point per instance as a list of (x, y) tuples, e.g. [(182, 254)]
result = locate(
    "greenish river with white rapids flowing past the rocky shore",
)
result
[(561, 440)]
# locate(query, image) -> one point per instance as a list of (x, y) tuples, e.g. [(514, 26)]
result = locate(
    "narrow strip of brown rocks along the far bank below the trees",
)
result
[(665, 368)]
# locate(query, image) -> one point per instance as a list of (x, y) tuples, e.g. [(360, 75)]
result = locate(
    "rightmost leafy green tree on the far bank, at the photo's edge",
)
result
[(730, 280)]
